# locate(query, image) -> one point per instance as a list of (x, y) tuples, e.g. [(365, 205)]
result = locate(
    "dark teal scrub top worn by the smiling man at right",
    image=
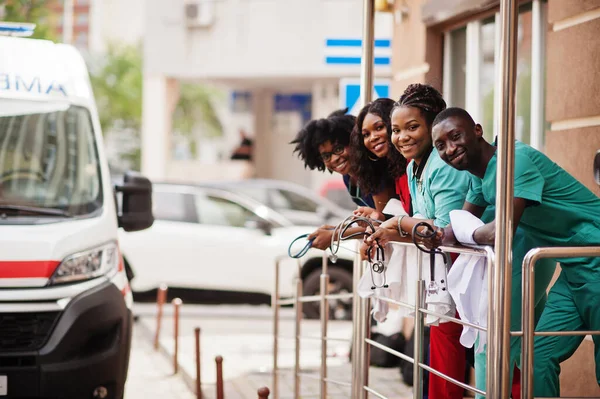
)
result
[(560, 212)]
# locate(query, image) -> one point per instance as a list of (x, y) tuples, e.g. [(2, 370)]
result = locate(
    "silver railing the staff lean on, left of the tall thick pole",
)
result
[(361, 328)]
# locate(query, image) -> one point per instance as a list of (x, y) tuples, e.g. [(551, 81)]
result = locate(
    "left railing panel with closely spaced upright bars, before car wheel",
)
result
[(297, 301)]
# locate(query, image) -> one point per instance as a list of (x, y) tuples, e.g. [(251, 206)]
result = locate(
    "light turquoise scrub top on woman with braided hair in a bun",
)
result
[(440, 190)]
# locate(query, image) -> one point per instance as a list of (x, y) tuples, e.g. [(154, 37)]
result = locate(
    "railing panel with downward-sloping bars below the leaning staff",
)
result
[(360, 387)]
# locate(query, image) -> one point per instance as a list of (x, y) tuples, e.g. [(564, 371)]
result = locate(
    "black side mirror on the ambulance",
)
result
[(136, 202)]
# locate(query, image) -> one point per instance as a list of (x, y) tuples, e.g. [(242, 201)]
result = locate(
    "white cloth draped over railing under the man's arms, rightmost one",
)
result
[(468, 282)]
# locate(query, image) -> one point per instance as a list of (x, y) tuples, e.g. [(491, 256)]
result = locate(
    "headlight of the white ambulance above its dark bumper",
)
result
[(86, 265)]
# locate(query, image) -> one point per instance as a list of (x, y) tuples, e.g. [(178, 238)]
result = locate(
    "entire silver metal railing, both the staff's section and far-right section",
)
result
[(361, 324)]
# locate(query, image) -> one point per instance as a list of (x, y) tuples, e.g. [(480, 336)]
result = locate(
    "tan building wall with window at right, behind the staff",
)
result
[(451, 44)]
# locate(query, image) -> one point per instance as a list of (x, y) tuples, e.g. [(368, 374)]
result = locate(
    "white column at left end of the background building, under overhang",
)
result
[(159, 99)]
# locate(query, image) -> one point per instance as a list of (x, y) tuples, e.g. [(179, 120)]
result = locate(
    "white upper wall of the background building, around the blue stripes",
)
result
[(254, 39)]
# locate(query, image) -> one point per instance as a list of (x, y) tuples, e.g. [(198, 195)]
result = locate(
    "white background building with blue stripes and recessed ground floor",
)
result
[(280, 61)]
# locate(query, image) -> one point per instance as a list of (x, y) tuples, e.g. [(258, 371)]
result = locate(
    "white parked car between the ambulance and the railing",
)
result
[(213, 239)]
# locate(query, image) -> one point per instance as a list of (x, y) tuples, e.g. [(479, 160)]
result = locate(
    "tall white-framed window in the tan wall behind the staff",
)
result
[(470, 70)]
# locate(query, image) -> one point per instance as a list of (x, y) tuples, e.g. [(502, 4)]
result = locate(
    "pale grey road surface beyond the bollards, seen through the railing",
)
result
[(242, 335)]
